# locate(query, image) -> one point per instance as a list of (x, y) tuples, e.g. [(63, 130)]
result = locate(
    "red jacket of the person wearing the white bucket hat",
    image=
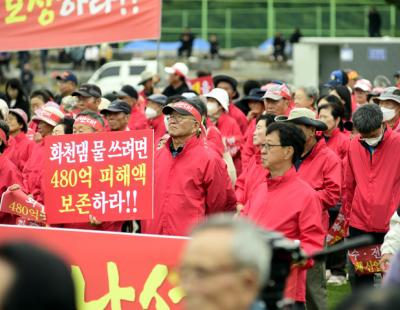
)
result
[(233, 137)]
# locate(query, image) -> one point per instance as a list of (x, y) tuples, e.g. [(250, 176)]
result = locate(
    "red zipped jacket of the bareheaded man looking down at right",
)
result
[(372, 183)]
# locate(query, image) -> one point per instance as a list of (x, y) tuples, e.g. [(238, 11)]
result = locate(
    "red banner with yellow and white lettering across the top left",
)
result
[(30, 24)]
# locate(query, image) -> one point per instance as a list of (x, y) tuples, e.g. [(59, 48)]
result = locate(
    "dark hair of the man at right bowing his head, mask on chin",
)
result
[(367, 118)]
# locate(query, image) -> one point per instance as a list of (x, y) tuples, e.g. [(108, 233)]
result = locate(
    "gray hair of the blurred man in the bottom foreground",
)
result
[(249, 249)]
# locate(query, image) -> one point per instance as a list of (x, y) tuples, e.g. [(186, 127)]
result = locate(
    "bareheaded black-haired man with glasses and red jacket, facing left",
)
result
[(286, 203)]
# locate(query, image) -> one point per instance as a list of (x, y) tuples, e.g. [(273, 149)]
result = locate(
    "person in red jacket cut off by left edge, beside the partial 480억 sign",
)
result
[(8, 171)]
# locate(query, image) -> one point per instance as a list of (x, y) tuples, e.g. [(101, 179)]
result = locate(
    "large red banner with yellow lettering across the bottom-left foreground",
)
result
[(108, 274)]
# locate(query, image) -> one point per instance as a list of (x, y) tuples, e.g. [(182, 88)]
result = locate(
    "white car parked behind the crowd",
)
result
[(115, 74)]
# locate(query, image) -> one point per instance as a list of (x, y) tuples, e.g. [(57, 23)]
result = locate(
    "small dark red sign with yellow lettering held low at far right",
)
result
[(366, 260)]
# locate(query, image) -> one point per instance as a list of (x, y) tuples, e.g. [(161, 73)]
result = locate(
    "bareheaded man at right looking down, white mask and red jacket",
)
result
[(372, 179)]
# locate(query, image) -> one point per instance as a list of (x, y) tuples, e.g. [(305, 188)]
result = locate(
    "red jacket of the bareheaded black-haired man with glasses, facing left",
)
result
[(290, 206)]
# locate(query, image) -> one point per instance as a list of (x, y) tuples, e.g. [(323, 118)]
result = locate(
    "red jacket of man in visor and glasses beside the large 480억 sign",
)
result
[(187, 188)]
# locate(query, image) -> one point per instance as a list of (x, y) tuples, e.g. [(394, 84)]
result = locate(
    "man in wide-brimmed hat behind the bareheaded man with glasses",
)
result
[(320, 167)]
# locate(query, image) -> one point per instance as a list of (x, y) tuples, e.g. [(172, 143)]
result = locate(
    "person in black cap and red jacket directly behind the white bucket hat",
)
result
[(229, 84)]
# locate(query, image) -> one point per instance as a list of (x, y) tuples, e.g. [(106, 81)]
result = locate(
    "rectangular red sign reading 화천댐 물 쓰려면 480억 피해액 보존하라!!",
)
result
[(108, 175)]
